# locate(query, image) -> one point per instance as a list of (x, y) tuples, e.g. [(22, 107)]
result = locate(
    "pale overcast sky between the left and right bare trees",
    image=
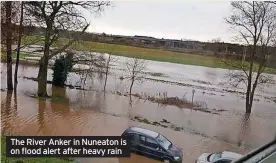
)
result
[(196, 20)]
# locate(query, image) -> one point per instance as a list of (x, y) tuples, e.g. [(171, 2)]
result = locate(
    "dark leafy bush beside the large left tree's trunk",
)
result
[(61, 68)]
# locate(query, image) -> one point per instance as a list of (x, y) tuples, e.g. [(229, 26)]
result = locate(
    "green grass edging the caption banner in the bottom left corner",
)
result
[(28, 160)]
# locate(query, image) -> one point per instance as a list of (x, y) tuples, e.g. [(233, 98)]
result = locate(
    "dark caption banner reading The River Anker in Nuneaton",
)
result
[(67, 146)]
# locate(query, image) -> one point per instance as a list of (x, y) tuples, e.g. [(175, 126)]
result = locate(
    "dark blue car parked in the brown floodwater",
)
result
[(153, 144)]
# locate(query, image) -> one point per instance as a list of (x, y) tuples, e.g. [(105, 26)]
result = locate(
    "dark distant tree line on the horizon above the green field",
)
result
[(216, 46)]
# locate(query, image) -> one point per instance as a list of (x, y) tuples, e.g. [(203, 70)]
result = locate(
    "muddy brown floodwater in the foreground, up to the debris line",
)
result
[(94, 113)]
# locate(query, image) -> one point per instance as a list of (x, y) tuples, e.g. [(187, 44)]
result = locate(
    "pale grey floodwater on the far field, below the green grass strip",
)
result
[(210, 84)]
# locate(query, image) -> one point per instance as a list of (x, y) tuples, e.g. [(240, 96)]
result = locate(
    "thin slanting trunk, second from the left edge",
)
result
[(18, 47)]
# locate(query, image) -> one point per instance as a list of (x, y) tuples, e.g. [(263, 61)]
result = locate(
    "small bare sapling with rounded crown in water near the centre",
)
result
[(134, 69)]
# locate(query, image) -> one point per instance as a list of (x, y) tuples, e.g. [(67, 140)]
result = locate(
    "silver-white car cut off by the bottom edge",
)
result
[(219, 157)]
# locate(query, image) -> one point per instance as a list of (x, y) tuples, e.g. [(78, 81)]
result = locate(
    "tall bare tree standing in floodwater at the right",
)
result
[(255, 23)]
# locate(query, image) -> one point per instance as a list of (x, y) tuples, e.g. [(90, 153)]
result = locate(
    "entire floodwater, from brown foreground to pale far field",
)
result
[(92, 112)]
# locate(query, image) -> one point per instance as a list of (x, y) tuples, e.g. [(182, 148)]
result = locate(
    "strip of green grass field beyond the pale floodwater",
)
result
[(143, 53)]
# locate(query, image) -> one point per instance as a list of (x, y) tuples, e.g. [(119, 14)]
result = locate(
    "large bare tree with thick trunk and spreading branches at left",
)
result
[(57, 16)]
